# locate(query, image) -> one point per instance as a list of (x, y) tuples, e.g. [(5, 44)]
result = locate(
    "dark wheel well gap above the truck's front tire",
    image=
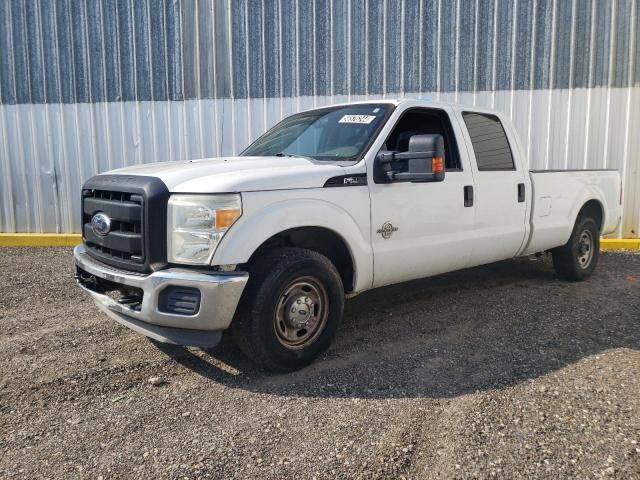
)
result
[(321, 240)]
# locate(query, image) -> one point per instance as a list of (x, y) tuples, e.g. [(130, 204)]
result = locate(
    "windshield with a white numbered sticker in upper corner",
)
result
[(333, 134)]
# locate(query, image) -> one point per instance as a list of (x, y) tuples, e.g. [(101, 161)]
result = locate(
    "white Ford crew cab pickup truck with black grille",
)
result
[(327, 204)]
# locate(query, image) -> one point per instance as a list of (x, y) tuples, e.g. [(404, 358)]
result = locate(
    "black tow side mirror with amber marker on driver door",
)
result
[(423, 162)]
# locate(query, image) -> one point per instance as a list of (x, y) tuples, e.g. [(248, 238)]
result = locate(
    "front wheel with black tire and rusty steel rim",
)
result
[(277, 280)]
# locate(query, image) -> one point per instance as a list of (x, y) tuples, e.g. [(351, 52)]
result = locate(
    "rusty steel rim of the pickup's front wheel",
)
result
[(301, 312)]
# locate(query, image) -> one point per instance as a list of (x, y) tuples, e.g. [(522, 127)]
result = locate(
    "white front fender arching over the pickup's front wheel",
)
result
[(265, 214)]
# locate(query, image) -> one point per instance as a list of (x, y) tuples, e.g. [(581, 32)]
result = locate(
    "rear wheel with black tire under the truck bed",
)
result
[(577, 259)]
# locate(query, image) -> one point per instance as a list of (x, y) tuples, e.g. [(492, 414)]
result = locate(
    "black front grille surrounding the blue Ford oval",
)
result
[(136, 206)]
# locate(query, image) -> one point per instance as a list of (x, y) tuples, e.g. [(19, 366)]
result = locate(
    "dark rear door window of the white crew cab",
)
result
[(489, 140)]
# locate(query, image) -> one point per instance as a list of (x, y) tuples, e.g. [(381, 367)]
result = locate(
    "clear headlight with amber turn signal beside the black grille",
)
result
[(197, 223)]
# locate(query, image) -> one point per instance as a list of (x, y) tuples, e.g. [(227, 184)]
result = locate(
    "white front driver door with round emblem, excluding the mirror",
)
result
[(423, 229)]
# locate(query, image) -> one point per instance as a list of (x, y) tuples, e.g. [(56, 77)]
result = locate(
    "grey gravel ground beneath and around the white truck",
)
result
[(501, 371)]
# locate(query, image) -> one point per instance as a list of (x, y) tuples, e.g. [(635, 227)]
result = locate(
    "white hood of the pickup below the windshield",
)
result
[(238, 174)]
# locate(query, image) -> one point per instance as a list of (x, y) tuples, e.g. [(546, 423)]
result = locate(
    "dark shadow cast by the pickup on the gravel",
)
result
[(478, 329)]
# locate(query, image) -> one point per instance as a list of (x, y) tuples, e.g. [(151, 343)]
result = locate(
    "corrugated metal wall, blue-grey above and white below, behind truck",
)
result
[(87, 86)]
